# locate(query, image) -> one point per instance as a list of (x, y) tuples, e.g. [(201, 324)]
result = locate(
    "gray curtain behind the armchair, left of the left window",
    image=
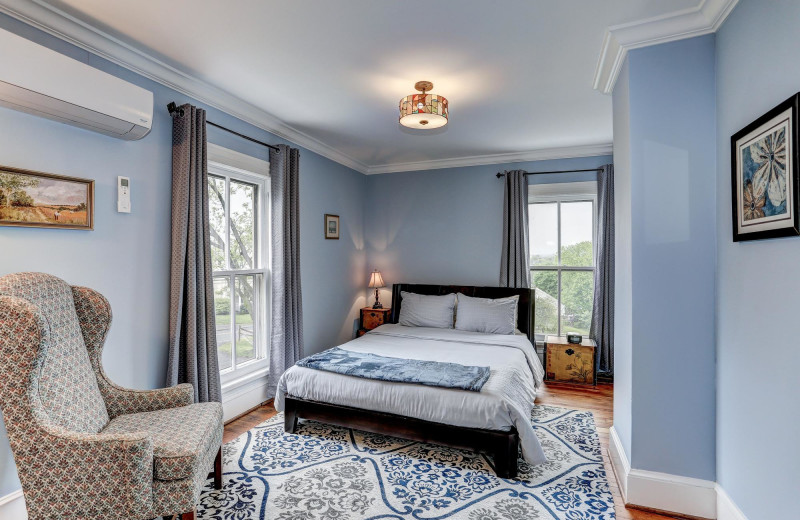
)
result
[(193, 344)]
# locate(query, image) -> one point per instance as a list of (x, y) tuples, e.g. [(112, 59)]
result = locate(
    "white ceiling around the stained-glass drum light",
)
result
[(518, 73)]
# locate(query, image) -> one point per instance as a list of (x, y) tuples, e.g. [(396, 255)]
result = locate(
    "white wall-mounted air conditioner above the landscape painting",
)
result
[(40, 81)]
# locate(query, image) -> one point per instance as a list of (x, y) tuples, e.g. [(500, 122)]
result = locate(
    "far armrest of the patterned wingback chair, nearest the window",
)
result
[(123, 401)]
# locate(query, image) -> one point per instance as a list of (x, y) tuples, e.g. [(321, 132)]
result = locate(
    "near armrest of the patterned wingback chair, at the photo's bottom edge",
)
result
[(88, 475)]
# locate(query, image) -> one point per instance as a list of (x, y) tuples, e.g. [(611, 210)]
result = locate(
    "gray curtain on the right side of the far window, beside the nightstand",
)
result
[(602, 330)]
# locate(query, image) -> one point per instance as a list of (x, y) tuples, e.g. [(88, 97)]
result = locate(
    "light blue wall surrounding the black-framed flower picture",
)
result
[(758, 415)]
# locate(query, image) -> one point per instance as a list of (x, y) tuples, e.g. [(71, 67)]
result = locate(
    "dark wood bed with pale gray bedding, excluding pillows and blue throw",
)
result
[(495, 420)]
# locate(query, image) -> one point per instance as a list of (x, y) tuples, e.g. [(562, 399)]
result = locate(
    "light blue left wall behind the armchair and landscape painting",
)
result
[(126, 257)]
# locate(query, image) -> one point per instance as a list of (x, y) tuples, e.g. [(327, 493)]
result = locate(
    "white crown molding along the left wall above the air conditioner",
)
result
[(68, 28)]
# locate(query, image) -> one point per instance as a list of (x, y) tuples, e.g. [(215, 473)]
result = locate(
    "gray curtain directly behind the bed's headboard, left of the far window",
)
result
[(515, 261)]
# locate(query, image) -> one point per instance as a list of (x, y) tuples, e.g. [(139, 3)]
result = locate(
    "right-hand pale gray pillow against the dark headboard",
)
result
[(493, 316)]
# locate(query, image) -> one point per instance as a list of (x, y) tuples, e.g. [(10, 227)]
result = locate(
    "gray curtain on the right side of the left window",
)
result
[(286, 342)]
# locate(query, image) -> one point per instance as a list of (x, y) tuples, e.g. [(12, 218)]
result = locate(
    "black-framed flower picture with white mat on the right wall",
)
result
[(765, 175)]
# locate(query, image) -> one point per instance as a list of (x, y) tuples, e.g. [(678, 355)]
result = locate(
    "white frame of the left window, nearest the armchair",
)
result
[(221, 165)]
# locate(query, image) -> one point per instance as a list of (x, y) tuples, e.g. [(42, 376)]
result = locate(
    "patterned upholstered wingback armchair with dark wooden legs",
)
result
[(85, 447)]
